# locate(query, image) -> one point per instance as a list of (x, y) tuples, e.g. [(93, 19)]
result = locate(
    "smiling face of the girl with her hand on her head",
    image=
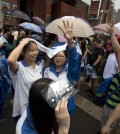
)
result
[(31, 53)]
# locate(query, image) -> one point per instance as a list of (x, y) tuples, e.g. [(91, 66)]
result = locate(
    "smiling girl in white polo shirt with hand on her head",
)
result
[(23, 73)]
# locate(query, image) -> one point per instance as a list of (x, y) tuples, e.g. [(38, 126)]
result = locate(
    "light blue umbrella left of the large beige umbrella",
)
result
[(31, 26)]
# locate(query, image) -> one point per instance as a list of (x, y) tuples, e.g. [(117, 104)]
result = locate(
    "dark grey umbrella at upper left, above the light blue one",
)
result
[(19, 14)]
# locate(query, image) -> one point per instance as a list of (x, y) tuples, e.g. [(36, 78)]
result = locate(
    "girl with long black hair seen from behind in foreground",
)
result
[(40, 117)]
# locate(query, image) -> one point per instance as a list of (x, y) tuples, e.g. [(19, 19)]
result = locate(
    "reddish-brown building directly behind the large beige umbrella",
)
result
[(52, 9)]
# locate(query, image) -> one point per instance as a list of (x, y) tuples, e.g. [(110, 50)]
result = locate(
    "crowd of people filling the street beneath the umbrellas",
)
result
[(30, 62)]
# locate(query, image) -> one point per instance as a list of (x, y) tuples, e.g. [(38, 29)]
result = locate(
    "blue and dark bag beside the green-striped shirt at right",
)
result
[(101, 92)]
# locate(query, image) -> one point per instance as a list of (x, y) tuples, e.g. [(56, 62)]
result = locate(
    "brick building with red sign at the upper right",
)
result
[(102, 11)]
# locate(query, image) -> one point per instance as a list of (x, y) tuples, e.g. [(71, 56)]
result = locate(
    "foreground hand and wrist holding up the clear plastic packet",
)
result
[(63, 117)]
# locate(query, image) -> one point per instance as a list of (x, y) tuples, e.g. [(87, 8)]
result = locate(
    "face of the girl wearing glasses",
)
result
[(60, 59)]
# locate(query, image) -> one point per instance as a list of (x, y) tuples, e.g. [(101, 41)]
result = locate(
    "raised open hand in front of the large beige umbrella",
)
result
[(68, 33)]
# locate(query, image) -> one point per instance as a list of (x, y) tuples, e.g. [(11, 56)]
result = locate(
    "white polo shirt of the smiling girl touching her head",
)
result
[(22, 81)]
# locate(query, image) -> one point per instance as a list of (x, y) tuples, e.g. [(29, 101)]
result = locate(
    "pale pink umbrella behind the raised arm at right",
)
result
[(101, 29)]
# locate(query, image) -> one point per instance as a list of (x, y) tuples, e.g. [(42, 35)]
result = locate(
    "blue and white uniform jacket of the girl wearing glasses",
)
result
[(70, 72)]
